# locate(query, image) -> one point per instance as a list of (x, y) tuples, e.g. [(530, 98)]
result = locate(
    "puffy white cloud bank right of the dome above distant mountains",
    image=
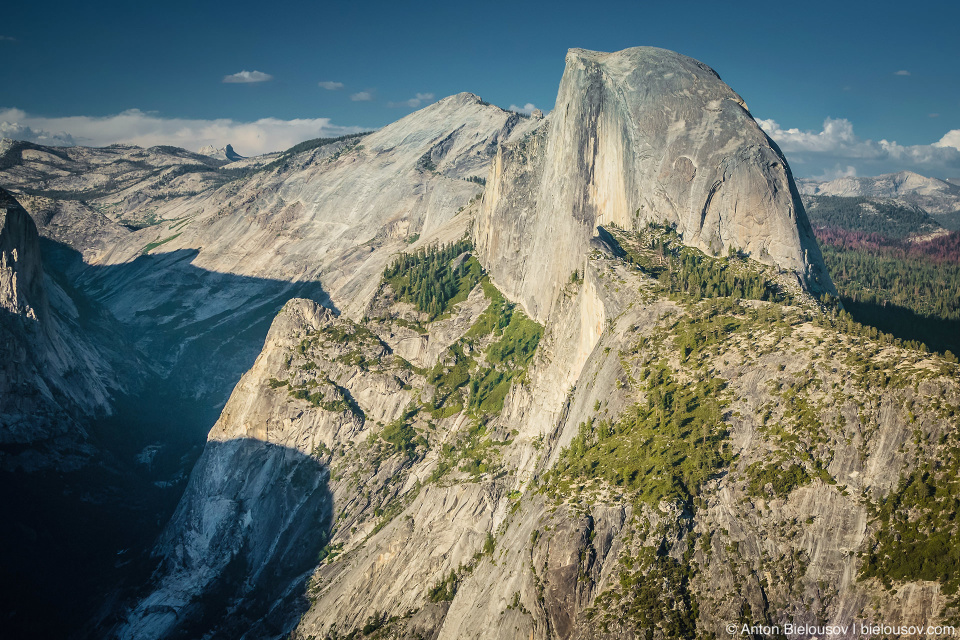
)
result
[(837, 144)]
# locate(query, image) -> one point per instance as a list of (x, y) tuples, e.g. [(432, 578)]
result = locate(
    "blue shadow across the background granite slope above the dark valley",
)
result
[(198, 330)]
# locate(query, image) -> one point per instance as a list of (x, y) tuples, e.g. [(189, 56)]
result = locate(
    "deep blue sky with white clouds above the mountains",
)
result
[(72, 68)]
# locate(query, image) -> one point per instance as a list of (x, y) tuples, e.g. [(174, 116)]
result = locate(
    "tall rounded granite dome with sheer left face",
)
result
[(641, 135)]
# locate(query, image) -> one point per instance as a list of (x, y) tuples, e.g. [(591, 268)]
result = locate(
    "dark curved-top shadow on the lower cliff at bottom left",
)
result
[(258, 515)]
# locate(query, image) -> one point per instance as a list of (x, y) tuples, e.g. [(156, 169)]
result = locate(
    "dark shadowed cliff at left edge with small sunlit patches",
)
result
[(51, 374)]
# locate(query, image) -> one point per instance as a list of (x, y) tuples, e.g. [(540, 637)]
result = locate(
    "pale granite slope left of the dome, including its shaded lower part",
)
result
[(196, 261)]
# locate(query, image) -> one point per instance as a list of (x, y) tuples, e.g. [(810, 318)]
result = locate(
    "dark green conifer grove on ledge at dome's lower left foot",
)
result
[(430, 281)]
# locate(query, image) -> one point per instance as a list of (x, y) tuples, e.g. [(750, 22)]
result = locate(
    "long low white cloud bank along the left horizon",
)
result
[(149, 129)]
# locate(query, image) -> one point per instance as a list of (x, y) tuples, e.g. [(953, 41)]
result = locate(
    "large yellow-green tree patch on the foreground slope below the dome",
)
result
[(663, 449)]
